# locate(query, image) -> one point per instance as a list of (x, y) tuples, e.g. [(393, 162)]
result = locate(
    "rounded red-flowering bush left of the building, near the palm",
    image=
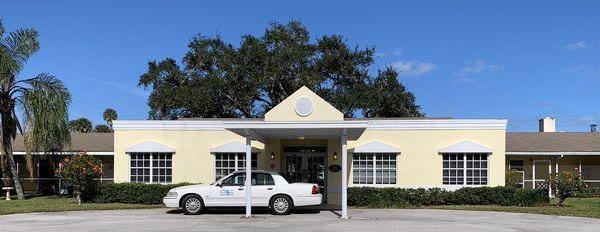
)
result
[(79, 172)]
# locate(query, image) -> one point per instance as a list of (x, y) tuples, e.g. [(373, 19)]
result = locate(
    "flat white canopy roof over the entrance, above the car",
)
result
[(265, 130)]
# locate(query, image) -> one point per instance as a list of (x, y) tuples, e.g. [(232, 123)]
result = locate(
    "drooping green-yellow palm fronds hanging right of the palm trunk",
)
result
[(45, 111)]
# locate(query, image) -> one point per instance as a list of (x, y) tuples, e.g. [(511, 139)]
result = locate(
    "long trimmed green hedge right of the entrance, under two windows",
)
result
[(400, 197)]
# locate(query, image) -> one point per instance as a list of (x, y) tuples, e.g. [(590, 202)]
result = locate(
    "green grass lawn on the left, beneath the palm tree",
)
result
[(59, 203)]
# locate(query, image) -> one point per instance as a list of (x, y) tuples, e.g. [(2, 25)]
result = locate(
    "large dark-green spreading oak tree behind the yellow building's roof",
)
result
[(219, 79)]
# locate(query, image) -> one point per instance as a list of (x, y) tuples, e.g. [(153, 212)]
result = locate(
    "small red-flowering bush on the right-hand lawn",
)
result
[(568, 184)]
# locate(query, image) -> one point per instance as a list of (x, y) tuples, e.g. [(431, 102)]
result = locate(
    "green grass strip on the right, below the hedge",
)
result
[(584, 207)]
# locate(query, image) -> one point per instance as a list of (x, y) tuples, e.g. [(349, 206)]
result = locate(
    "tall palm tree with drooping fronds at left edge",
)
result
[(43, 101)]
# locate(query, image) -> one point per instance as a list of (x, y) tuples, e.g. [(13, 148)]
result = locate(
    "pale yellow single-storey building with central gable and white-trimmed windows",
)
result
[(304, 139)]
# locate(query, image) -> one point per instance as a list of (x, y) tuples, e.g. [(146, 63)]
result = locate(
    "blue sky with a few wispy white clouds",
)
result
[(516, 60)]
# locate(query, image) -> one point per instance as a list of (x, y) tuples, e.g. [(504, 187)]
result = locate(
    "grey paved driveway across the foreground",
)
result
[(230, 220)]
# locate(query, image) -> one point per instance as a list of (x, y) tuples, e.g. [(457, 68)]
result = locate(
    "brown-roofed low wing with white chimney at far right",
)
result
[(537, 154)]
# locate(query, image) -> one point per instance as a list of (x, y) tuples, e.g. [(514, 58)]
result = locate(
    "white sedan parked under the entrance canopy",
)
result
[(269, 189)]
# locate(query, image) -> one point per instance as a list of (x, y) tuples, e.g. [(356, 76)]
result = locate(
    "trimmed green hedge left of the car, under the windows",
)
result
[(133, 193)]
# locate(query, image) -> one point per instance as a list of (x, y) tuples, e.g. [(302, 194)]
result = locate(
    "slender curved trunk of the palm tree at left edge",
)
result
[(7, 149)]
